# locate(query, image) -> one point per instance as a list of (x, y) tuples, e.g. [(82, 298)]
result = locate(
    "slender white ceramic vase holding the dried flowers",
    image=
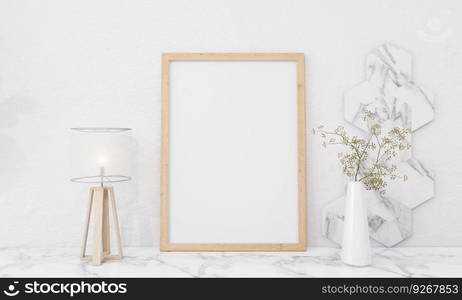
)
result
[(356, 248)]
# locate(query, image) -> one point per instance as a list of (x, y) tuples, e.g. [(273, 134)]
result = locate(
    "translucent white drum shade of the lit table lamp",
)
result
[(93, 148)]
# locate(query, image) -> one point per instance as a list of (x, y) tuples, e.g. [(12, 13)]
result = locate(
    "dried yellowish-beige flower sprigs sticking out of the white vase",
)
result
[(368, 160)]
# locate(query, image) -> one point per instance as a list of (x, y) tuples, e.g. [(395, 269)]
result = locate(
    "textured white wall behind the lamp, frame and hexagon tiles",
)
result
[(97, 63)]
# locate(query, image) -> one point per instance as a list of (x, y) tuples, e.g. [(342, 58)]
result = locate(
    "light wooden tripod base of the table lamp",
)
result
[(99, 200)]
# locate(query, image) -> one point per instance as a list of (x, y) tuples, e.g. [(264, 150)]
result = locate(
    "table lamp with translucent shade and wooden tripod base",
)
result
[(100, 156)]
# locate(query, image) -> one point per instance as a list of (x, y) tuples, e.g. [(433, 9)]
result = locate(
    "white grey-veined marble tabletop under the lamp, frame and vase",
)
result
[(149, 262)]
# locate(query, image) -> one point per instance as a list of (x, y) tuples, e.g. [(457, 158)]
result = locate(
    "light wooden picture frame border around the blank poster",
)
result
[(300, 148)]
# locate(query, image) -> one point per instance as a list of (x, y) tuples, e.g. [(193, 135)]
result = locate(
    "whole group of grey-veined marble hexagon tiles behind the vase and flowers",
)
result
[(396, 100)]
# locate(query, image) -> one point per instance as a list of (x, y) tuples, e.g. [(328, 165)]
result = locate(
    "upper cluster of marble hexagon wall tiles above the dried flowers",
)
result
[(389, 84)]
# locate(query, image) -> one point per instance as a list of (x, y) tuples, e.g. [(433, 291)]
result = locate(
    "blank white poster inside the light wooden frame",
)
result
[(233, 152)]
